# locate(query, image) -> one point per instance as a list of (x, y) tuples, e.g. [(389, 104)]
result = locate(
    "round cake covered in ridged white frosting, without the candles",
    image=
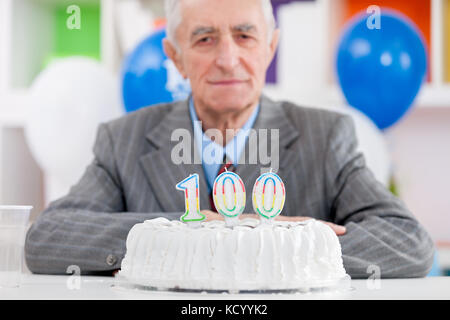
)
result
[(250, 256)]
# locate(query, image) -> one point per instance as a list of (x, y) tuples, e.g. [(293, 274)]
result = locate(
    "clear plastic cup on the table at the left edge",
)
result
[(13, 226)]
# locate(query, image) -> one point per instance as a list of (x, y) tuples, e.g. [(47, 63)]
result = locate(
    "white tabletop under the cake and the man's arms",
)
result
[(47, 287)]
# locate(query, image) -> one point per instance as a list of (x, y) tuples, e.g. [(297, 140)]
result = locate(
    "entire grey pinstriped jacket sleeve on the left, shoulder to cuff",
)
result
[(88, 227)]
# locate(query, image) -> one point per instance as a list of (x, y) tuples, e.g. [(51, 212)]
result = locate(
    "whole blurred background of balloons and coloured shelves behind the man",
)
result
[(66, 66)]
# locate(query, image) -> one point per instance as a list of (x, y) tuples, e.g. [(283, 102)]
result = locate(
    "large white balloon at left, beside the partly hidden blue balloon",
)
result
[(68, 100)]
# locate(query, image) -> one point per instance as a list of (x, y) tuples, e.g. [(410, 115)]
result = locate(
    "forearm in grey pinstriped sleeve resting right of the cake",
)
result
[(394, 246)]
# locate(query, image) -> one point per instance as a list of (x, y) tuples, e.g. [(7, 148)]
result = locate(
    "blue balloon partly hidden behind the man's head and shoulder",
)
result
[(149, 77)]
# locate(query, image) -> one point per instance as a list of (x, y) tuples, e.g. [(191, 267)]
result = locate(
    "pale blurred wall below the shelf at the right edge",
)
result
[(420, 148)]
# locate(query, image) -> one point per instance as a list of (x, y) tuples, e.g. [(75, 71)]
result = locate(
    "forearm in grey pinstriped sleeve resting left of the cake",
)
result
[(92, 241)]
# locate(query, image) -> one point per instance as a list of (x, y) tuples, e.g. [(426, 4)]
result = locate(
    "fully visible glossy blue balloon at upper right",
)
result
[(381, 70)]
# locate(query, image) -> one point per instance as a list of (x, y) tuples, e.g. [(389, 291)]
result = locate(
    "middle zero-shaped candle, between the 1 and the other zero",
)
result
[(229, 196)]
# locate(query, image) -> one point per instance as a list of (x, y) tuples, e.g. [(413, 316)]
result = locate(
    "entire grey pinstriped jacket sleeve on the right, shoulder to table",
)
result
[(381, 232)]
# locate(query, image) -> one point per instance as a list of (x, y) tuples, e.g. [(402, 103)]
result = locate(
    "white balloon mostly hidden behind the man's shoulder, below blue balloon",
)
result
[(371, 143)]
